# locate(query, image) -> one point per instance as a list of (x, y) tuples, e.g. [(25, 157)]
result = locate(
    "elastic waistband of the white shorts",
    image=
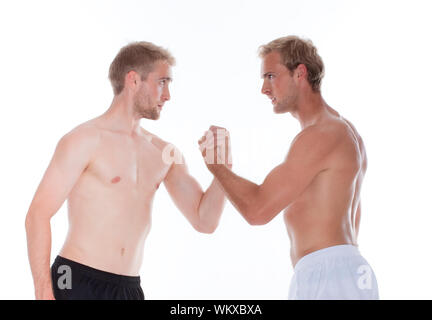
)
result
[(345, 250)]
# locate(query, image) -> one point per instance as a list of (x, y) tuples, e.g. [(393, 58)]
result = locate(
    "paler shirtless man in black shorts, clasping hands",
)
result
[(109, 169)]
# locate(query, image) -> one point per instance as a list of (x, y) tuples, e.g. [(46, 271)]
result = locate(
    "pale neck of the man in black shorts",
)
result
[(121, 115)]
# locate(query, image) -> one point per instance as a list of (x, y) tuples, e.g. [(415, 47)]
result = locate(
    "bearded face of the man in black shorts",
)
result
[(153, 92)]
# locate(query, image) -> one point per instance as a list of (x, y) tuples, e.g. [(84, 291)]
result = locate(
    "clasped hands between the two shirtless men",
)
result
[(215, 147)]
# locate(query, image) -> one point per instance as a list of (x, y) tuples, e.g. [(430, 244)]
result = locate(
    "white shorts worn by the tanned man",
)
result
[(338, 272)]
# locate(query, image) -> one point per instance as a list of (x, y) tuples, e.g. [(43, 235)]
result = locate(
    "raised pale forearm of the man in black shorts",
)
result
[(211, 207)]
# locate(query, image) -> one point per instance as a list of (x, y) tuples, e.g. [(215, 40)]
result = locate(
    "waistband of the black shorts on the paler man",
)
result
[(98, 274)]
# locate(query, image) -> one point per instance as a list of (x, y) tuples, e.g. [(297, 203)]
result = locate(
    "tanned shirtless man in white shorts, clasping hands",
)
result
[(318, 184)]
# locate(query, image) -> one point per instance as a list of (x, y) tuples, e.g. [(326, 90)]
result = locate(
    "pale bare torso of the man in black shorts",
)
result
[(110, 206)]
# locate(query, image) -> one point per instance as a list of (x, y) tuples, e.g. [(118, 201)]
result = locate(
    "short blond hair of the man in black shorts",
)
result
[(139, 57)]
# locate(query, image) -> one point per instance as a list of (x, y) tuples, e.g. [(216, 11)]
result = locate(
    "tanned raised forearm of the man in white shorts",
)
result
[(241, 192)]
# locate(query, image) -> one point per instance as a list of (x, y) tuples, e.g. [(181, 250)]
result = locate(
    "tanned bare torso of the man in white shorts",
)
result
[(325, 213)]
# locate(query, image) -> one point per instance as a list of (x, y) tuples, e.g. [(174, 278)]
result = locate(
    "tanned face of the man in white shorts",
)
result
[(279, 84)]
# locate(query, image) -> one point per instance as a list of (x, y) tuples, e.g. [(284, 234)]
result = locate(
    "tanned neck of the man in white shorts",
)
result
[(310, 108)]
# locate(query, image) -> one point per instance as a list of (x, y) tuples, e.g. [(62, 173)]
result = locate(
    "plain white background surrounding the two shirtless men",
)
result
[(54, 61)]
